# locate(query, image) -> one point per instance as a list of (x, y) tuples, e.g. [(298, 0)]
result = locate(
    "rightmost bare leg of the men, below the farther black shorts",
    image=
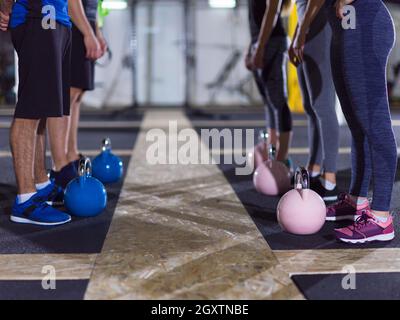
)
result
[(72, 143)]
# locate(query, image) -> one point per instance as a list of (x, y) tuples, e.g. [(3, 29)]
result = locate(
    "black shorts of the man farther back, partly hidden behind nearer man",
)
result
[(82, 69)]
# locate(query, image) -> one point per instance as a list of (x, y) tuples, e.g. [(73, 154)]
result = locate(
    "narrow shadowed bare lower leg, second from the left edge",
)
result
[(40, 172)]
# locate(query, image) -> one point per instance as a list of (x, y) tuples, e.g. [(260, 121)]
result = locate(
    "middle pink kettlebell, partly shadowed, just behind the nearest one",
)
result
[(272, 177)]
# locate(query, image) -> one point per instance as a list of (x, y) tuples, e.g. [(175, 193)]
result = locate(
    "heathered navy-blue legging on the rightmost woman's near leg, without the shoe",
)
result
[(365, 76)]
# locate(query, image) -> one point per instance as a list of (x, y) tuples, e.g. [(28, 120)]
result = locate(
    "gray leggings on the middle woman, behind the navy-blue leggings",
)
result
[(318, 91)]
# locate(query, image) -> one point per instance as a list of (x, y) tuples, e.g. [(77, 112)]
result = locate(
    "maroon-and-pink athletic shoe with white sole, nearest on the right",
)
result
[(367, 228)]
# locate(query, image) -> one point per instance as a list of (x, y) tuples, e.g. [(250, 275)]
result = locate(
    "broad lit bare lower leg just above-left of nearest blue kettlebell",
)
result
[(57, 129)]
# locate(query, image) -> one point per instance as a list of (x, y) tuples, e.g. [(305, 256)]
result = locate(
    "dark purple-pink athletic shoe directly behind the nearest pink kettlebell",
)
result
[(345, 209)]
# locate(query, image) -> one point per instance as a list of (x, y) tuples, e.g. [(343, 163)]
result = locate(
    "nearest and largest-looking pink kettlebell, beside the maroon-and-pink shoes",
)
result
[(301, 211)]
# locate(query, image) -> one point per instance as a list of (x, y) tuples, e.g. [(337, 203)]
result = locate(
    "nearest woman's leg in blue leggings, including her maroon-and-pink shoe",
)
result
[(363, 54)]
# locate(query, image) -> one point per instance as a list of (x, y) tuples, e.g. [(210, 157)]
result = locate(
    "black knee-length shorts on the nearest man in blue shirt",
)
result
[(44, 57)]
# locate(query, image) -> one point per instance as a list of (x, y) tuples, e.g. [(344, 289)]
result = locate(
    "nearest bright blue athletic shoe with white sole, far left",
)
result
[(36, 211)]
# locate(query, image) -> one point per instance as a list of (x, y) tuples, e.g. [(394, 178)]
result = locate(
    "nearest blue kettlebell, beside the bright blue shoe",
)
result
[(85, 196)]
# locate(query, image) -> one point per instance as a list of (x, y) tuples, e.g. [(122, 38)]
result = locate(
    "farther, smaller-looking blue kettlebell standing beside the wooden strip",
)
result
[(107, 167)]
